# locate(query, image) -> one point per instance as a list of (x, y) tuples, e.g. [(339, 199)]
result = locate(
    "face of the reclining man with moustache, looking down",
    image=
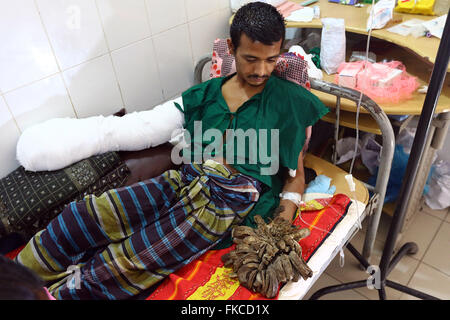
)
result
[(255, 61)]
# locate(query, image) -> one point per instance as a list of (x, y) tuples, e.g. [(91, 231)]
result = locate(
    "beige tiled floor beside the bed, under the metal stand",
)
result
[(428, 270)]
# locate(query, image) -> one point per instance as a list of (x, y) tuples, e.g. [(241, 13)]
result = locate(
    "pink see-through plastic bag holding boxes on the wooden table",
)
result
[(383, 82)]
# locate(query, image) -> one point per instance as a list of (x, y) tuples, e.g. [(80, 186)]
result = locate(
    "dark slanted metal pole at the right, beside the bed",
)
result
[(423, 129)]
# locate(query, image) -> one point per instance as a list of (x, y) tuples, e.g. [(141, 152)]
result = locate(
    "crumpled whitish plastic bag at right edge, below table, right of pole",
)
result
[(438, 197)]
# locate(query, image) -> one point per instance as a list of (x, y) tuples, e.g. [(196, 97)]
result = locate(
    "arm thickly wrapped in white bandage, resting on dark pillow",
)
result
[(57, 143)]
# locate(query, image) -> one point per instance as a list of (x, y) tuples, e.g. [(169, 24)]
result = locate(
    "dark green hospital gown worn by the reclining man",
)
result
[(282, 105)]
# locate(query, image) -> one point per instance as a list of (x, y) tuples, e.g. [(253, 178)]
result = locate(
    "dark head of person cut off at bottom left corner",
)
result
[(18, 282)]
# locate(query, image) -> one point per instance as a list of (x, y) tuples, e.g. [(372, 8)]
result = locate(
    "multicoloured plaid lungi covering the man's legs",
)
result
[(118, 244)]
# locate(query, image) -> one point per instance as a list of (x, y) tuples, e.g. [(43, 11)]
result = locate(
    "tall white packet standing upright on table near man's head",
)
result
[(332, 47)]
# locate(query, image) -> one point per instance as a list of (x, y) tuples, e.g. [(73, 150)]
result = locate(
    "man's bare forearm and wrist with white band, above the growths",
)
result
[(287, 208)]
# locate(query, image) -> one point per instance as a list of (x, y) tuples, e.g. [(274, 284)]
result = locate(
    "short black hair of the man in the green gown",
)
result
[(260, 22)]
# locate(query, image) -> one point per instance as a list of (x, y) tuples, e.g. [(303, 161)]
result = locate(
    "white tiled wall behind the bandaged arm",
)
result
[(79, 58)]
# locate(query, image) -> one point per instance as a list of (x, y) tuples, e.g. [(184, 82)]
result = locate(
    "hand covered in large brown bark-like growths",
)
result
[(268, 256)]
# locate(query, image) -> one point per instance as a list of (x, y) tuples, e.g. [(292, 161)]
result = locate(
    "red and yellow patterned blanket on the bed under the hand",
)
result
[(207, 279)]
